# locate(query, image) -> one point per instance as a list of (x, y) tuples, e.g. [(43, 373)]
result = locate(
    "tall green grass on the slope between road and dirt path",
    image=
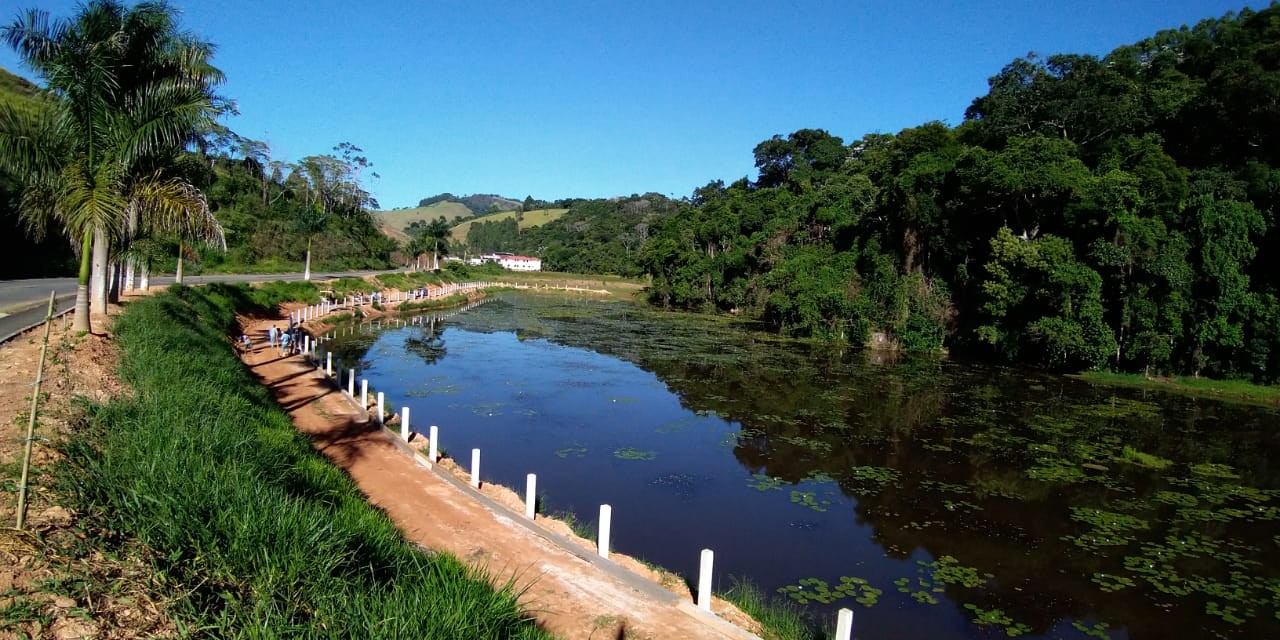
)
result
[(254, 533)]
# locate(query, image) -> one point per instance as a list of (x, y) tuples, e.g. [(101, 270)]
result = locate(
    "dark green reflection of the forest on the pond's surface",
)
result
[(959, 440)]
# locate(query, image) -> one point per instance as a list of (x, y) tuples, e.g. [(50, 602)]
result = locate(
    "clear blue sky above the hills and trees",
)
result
[(601, 98)]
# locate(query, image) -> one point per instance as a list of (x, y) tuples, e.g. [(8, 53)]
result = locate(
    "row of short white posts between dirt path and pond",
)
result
[(844, 619)]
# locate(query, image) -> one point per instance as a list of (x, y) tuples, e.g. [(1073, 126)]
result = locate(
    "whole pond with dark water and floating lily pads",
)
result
[(936, 500)]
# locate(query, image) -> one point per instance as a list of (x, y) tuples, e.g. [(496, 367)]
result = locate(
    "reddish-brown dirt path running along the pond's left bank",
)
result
[(570, 591)]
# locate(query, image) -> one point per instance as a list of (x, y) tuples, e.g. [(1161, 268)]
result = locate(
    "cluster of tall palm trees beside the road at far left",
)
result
[(129, 90)]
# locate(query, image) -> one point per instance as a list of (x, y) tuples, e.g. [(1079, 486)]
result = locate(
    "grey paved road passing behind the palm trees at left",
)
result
[(24, 303)]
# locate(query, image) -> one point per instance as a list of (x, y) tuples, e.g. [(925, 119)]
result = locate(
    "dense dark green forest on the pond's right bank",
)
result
[(1089, 213)]
